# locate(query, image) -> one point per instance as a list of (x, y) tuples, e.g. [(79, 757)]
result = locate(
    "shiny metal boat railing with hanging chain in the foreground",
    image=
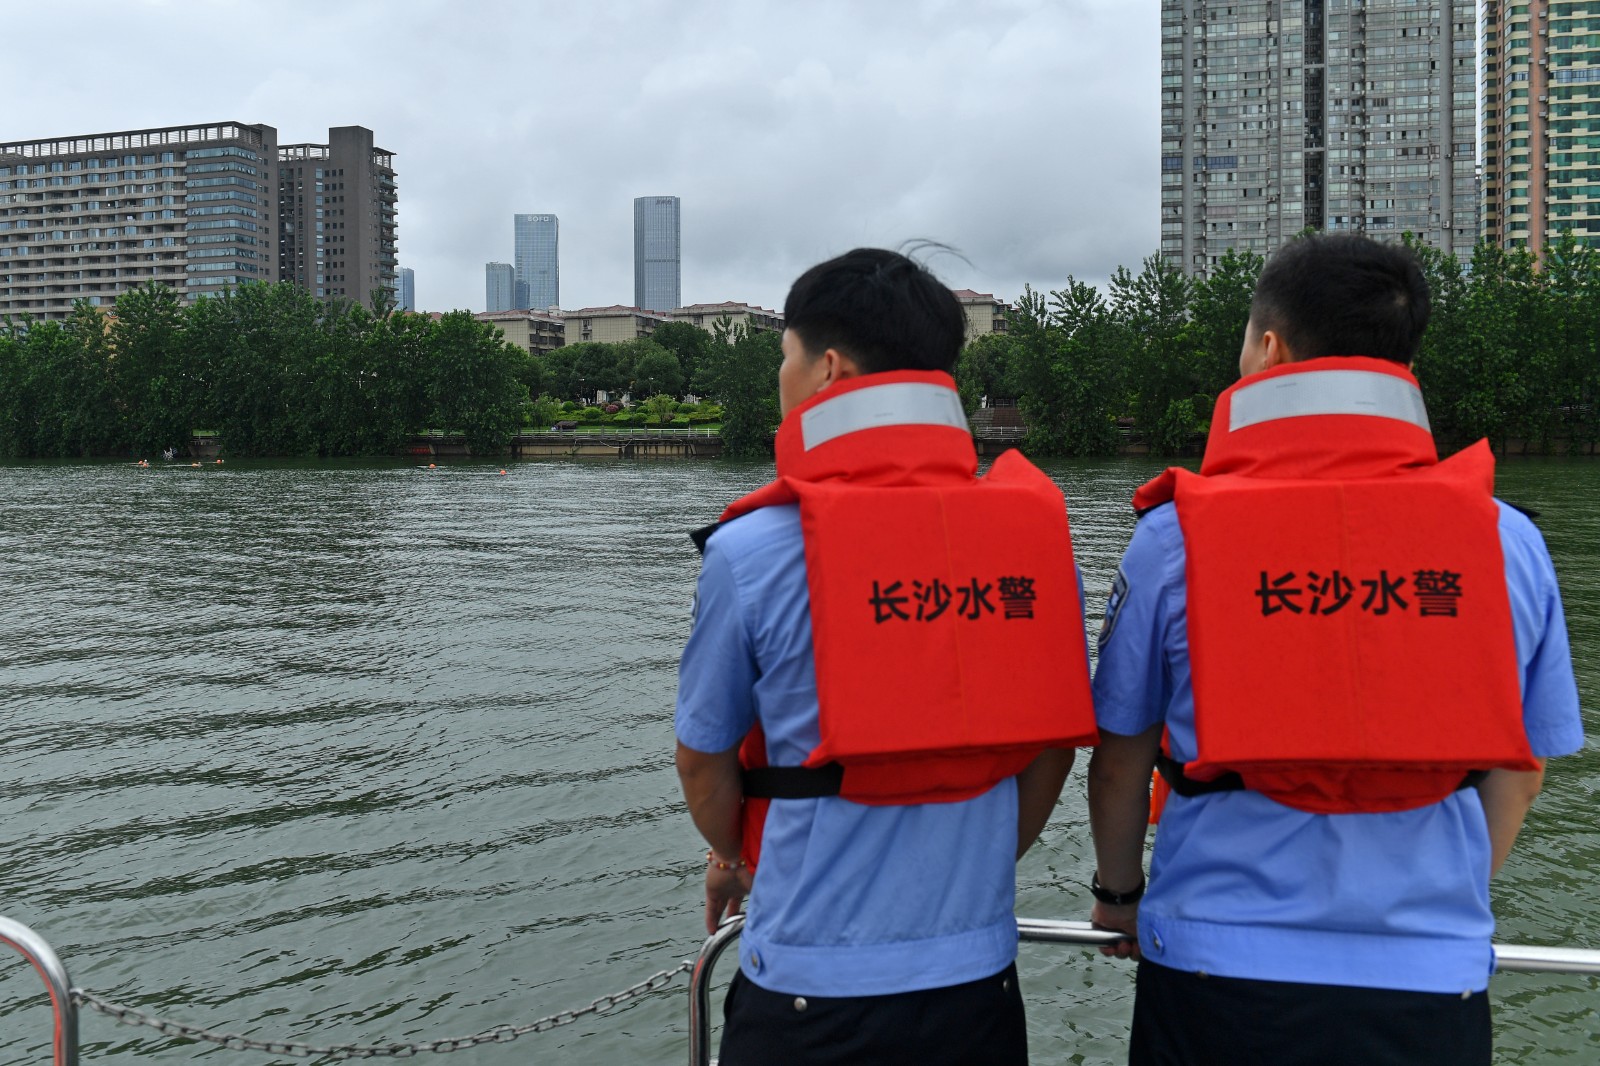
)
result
[(66, 1000)]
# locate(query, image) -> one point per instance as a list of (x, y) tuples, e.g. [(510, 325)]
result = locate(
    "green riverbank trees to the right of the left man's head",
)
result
[(1513, 353)]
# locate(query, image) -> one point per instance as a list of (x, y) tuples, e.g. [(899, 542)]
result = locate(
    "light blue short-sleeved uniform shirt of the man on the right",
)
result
[(1246, 888)]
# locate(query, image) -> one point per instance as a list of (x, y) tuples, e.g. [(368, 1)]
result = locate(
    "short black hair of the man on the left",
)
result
[(881, 310)]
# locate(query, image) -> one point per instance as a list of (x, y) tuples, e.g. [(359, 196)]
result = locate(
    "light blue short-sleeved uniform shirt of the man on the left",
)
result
[(849, 900)]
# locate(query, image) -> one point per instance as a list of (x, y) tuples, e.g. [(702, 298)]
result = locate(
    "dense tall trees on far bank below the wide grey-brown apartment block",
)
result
[(268, 367)]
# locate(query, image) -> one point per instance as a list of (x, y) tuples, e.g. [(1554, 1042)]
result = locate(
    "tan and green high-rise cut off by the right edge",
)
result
[(1542, 122)]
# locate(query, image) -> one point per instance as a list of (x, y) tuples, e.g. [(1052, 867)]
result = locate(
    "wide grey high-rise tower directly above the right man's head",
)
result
[(1329, 114)]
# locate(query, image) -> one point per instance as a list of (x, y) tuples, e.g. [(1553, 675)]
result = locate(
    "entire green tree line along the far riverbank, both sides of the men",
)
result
[(1513, 355)]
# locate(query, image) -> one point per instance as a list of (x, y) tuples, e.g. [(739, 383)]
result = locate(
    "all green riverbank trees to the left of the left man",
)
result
[(276, 372)]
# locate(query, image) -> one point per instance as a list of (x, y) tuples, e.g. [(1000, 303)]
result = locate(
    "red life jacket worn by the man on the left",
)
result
[(946, 628)]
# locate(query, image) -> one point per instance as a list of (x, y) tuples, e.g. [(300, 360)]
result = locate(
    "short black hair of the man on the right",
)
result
[(1343, 295)]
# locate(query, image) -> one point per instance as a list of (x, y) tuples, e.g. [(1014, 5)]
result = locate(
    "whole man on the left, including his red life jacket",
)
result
[(881, 695)]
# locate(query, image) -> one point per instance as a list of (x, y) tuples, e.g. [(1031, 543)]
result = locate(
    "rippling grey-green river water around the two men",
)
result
[(367, 753)]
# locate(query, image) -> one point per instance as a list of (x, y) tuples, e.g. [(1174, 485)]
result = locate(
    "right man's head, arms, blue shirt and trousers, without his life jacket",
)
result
[(1270, 934)]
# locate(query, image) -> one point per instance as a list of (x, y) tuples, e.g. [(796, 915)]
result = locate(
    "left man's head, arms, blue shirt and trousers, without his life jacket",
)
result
[(874, 934)]
